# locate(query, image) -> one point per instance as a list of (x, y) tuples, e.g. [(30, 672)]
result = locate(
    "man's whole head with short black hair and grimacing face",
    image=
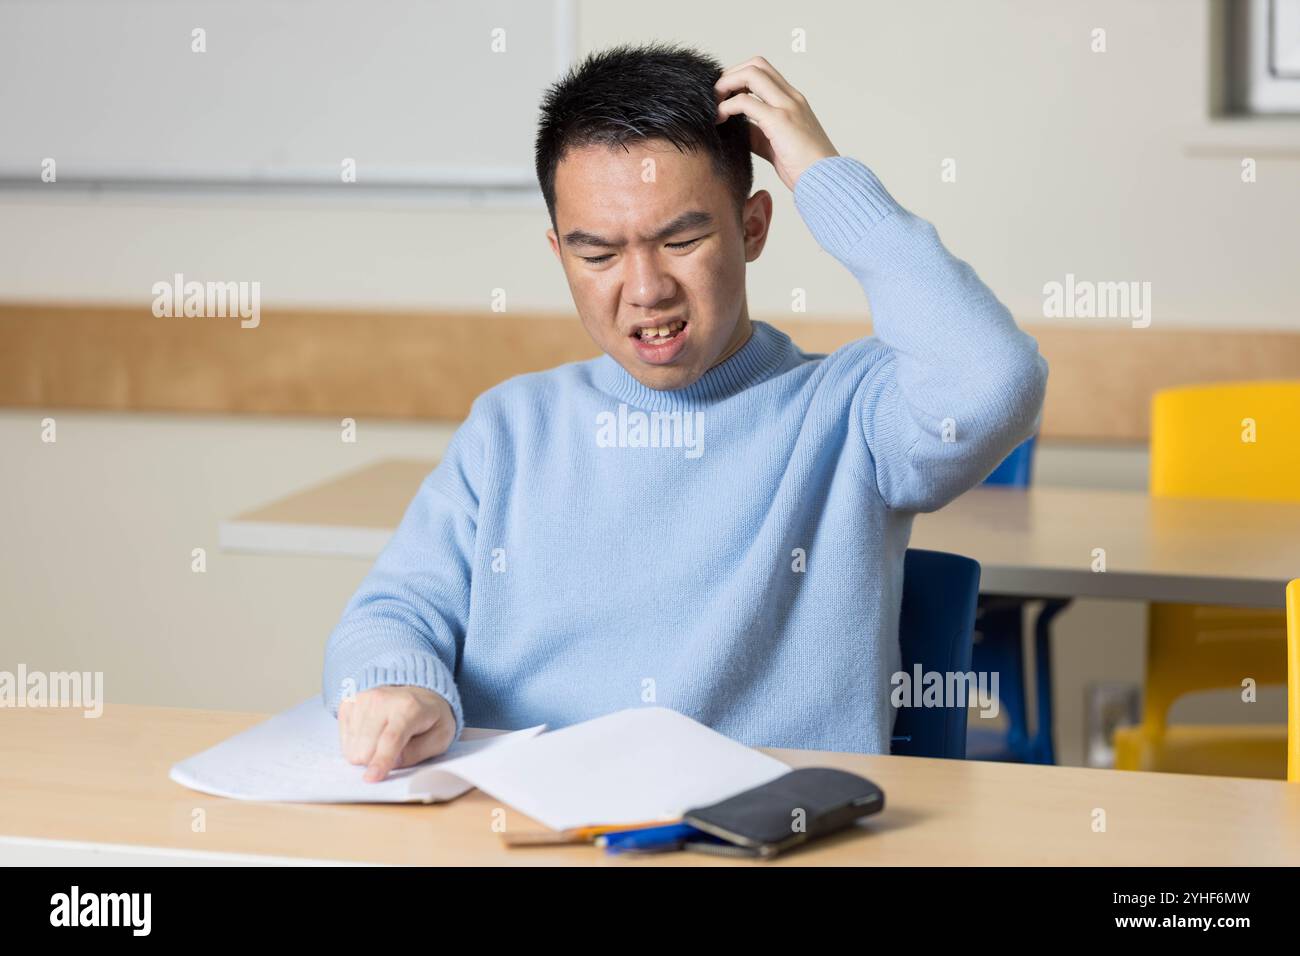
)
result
[(651, 209)]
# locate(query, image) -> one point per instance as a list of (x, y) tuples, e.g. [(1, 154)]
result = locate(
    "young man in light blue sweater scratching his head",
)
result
[(704, 518)]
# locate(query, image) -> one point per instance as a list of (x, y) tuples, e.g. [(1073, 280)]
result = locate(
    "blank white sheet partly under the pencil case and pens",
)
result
[(643, 764)]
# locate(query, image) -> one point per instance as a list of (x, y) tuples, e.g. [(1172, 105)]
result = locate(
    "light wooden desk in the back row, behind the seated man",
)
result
[(1038, 543)]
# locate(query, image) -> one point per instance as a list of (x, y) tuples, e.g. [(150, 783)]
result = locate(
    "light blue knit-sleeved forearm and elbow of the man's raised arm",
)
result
[(960, 384)]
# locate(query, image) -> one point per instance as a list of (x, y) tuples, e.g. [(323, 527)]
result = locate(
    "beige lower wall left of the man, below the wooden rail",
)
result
[(96, 569)]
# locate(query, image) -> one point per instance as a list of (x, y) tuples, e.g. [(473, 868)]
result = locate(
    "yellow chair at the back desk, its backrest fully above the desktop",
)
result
[(1217, 442)]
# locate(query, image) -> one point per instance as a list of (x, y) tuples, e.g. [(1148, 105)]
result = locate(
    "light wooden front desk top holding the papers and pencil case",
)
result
[(105, 781)]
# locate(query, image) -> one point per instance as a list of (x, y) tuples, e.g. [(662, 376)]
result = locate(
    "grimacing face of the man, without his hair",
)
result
[(651, 239)]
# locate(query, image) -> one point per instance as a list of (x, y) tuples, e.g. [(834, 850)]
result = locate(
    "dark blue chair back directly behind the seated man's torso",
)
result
[(935, 630)]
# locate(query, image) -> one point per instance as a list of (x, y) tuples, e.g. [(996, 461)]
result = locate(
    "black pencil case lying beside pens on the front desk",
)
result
[(795, 808)]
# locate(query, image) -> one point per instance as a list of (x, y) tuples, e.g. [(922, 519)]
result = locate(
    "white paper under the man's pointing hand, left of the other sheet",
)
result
[(296, 758)]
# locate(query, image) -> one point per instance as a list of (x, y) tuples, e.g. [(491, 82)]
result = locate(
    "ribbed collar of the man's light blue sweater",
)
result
[(755, 362)]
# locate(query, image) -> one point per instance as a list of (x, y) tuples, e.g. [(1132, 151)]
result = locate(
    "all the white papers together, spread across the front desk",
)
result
[(631, 767)]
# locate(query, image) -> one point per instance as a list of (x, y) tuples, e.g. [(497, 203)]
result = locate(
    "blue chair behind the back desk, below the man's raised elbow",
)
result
[(999, 648)]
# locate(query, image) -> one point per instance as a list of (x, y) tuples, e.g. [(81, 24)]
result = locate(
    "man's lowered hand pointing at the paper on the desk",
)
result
[(389, 728)]
